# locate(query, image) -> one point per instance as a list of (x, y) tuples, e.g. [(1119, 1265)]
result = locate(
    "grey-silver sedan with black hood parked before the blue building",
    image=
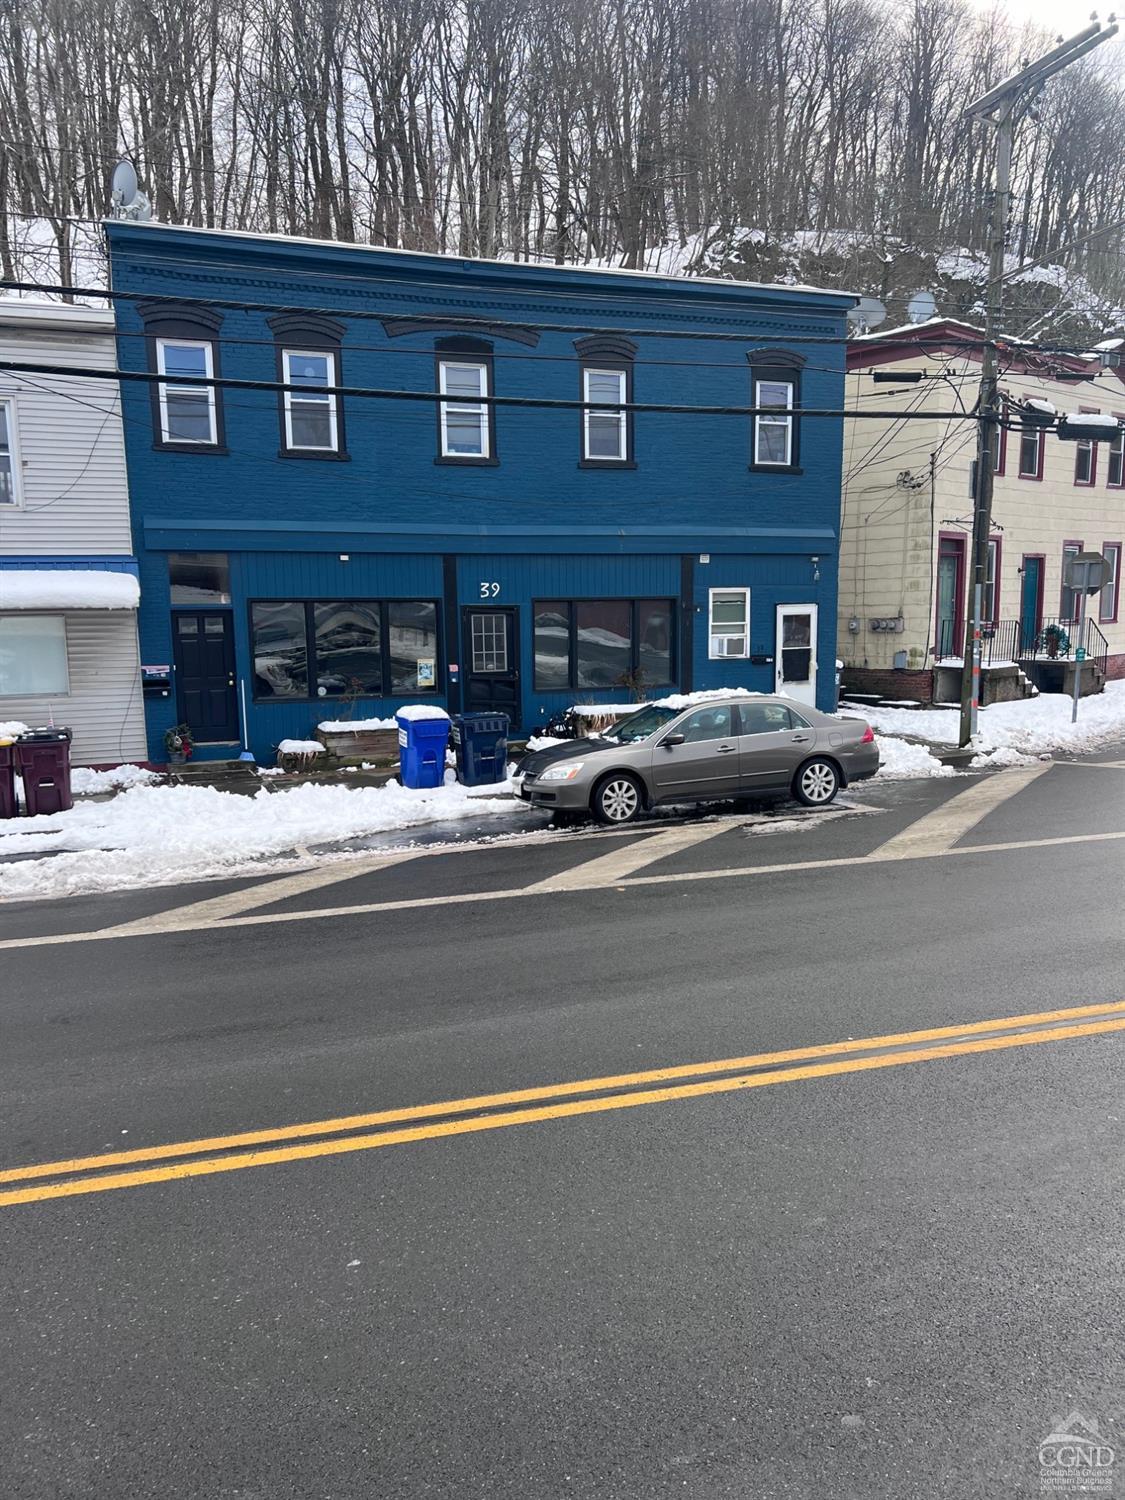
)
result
[(715, 749)]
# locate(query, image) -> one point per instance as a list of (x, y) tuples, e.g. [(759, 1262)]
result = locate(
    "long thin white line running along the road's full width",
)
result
[(467, 898)]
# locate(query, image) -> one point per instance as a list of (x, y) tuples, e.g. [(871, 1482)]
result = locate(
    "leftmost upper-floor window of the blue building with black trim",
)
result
[(184, 347)]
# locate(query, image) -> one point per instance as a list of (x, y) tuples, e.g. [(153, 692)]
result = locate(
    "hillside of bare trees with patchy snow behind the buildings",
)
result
[(569, 130)]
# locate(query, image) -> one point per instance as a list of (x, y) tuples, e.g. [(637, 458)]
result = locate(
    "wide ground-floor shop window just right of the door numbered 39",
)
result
[(604, 643)]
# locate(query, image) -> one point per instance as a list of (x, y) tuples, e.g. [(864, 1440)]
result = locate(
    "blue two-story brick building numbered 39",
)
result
[(310, 556)]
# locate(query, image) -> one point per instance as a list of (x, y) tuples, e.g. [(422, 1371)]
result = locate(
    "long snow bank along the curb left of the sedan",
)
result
[(167, 835)]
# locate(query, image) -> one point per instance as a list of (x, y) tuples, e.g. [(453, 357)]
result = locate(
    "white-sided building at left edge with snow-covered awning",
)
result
[(68, 577)]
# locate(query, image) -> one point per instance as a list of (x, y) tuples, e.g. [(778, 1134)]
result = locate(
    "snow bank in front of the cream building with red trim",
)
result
[(1034, 727)]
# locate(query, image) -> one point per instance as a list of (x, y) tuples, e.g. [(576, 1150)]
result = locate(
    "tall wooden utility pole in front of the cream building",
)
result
[(1000, 109)]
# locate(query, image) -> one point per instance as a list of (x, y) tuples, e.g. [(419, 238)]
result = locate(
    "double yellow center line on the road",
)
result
[(335, 1138)]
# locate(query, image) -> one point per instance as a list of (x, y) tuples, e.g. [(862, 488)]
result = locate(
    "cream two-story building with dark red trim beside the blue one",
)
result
[(907, 517)]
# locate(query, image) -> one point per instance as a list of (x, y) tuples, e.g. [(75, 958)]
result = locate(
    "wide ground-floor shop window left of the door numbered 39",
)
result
[(344, 649)]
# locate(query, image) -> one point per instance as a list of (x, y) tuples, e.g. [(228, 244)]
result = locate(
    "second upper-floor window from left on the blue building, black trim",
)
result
[(310, 361)]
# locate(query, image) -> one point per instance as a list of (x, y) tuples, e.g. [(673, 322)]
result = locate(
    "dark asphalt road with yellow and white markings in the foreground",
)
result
[(871, 1277)]
